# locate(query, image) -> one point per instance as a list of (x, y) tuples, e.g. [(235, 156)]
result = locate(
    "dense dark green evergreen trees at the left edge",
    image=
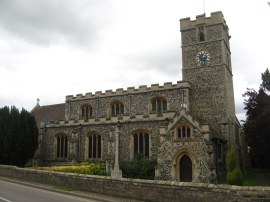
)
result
[(18, 136)]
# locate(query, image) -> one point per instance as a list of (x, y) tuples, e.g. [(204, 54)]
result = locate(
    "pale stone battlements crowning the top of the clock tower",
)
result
[(215, 18)]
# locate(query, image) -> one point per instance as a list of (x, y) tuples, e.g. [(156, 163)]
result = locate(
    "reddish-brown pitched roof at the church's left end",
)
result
[(44, 114)]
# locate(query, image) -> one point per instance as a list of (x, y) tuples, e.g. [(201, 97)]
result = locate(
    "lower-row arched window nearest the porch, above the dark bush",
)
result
[(141, 144)]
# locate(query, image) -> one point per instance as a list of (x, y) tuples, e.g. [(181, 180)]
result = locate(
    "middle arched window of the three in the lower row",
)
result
[(94, 146)]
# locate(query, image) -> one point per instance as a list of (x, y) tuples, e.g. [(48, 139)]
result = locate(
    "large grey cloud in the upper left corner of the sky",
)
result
[(45, 22)]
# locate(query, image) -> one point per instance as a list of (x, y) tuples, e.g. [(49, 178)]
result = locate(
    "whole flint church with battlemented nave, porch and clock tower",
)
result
[(186, 126)]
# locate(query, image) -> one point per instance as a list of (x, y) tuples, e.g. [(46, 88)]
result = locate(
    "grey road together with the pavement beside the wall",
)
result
[(12, 190)]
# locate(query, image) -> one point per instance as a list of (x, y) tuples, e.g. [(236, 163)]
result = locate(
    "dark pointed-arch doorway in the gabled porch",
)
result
[(185, 169)]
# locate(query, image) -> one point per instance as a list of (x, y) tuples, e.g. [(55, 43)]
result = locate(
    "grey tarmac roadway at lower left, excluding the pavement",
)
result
[(12, 192)]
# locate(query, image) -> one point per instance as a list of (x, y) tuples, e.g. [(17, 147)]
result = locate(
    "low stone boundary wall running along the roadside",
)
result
[(148, 190)]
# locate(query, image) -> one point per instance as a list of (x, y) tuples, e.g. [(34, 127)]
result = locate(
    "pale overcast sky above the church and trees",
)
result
[(53, 48)]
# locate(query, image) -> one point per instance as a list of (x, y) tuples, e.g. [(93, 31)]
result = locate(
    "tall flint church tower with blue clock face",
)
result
[(206, 59)]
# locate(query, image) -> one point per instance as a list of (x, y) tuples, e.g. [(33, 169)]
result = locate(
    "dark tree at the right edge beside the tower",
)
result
[(257, 125)]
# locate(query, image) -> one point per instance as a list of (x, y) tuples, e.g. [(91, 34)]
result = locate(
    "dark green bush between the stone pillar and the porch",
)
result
[(139, 168)]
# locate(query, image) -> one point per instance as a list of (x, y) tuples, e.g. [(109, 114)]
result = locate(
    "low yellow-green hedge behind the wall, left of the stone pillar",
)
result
[(84, 168)]
